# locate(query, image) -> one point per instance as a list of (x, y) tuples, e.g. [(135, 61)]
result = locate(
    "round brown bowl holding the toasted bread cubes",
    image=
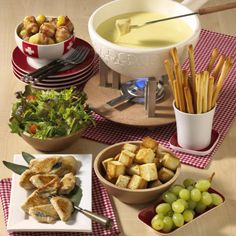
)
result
[(126, 195)]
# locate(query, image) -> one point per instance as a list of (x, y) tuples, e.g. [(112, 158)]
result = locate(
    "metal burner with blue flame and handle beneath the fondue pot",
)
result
[(134, 91)]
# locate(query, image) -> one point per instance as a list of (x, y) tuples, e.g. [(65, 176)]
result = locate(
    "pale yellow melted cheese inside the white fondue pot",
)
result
[(161, 34)]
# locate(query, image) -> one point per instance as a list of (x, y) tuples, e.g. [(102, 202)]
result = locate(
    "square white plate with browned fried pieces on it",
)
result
[(39, 196)]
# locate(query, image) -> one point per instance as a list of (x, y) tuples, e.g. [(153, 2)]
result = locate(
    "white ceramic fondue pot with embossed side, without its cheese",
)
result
[(142, 62)]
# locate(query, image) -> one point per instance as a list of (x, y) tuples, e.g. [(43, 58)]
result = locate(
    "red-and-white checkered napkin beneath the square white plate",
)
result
[(101, 204)]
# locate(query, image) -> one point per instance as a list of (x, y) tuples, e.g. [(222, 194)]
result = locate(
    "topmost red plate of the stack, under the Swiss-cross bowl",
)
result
[(20, 61)]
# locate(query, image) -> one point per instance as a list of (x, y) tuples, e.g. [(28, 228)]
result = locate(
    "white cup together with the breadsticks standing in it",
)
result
[(195, 96)]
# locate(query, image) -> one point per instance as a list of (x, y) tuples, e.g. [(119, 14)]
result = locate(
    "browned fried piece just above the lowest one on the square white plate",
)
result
[(34, 199)]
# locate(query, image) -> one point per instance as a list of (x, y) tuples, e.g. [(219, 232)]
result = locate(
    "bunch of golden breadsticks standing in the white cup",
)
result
[(199, 92)]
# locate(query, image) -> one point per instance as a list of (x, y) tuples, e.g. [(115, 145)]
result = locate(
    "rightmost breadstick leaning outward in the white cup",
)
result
[(224, 72)]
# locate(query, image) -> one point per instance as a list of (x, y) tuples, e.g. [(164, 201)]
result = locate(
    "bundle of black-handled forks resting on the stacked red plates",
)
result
[(76, 57)]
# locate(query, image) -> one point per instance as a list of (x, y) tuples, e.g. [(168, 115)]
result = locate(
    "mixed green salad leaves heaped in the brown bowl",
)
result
[(46, 114)]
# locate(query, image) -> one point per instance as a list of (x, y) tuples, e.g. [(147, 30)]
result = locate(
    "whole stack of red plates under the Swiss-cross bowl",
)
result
[(77, 76)]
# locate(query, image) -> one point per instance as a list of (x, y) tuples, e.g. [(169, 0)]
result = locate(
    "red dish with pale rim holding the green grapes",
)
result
[(146, 215)]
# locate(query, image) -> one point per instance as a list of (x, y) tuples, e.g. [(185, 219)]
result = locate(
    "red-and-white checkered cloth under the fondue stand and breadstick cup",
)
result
[(109, 132)]
